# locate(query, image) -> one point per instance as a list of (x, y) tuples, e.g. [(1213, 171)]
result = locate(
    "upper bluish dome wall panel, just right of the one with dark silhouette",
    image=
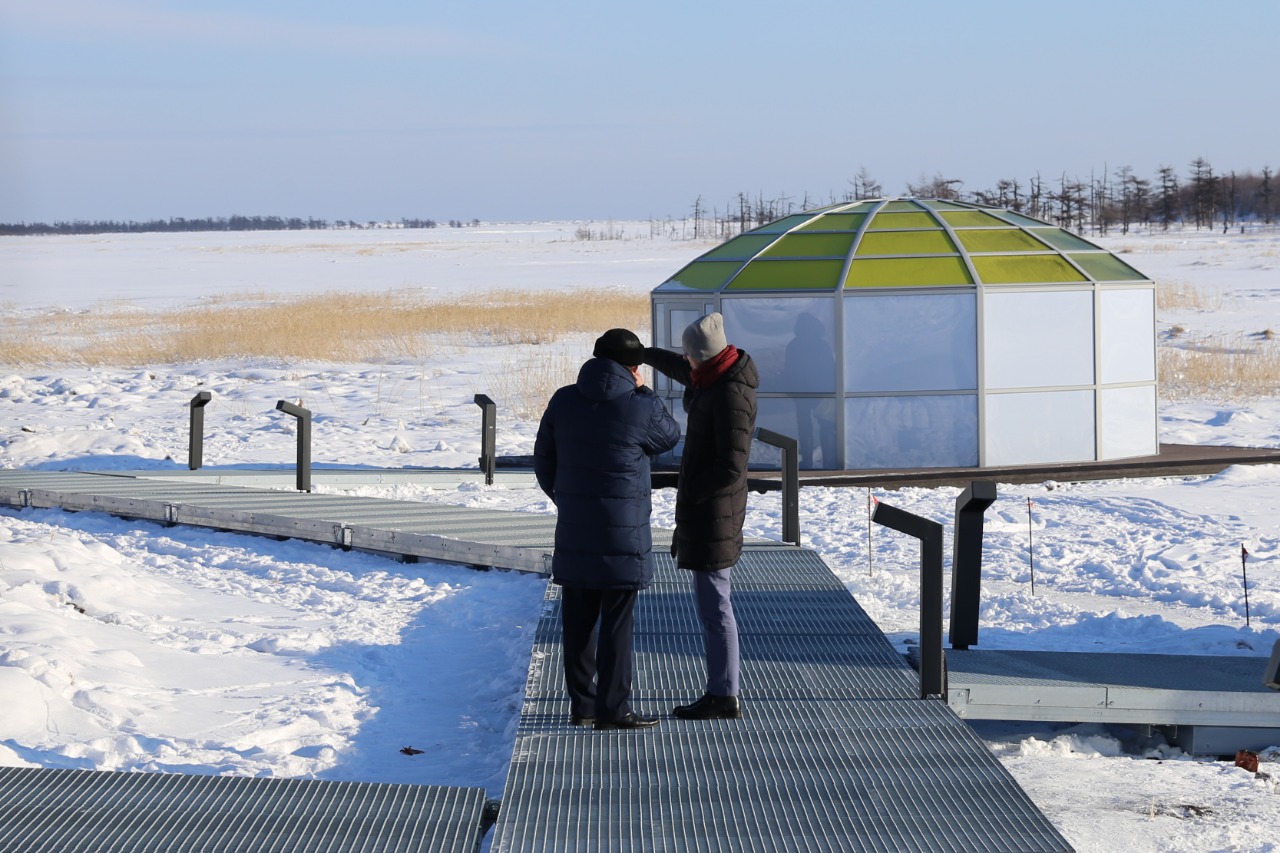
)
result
[(918, 343)]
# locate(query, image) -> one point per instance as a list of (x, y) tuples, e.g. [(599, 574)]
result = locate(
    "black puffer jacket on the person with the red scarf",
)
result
[(711, 499)]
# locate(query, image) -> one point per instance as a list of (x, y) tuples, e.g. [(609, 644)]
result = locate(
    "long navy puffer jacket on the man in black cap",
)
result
[(592, 459)]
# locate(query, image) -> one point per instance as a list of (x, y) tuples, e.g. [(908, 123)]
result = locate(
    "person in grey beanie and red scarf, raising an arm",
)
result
[(711, 495)]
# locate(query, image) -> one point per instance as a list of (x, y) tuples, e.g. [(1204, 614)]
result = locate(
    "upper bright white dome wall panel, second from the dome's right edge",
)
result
[(1039, 340)]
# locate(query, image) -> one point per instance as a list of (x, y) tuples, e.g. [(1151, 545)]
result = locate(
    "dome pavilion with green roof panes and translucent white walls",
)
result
[(929, 334)]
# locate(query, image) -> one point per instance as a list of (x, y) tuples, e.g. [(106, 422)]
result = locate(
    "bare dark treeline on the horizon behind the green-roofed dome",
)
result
[(1100, 204)]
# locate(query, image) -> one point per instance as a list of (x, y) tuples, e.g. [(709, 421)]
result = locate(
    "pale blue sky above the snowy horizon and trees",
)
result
[(563, 110)]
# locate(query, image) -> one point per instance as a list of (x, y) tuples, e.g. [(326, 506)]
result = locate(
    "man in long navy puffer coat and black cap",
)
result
[(592, 459)]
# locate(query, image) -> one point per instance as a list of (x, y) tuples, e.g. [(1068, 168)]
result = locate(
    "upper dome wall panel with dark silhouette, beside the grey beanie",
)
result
[(790, 340)]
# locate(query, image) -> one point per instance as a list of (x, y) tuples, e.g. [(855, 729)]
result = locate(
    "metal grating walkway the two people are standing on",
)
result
[(835, 754)]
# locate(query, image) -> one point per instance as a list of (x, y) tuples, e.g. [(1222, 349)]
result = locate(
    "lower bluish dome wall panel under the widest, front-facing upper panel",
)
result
[(912, 432)]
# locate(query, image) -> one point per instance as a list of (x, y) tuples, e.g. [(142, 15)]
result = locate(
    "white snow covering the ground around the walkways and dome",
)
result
[(127, 645)]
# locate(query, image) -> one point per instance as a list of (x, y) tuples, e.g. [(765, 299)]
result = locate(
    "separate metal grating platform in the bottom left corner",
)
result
[(106, 811)]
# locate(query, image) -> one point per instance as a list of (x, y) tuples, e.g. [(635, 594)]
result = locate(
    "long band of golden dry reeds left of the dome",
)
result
[(332, 327)]
